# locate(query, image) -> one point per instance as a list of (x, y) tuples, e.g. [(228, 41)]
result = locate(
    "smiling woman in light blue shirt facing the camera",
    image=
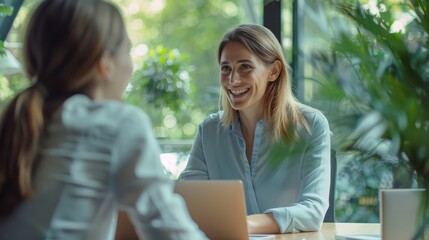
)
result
[(278, 147)]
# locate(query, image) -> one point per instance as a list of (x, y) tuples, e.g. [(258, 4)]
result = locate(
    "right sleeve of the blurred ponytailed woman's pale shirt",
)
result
[(142, 189)]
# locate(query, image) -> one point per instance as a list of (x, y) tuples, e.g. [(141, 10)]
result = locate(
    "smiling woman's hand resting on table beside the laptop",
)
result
[(262, 223)]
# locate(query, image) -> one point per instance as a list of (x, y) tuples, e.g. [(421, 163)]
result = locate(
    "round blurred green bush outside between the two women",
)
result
[(162, 80)]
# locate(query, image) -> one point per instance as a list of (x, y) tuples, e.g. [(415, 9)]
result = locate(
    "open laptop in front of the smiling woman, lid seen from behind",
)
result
[(218, 207)]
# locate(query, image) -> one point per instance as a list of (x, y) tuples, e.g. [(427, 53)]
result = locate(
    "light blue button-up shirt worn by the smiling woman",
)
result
[(291, 182)]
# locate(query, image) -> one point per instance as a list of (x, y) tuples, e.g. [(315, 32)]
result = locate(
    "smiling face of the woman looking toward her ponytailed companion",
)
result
[(244, 77)]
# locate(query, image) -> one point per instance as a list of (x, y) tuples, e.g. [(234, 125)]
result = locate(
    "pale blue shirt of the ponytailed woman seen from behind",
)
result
[(98, 158)]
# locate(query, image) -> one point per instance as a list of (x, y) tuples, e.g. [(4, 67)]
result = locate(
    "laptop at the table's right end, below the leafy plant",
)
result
[(399, 215)]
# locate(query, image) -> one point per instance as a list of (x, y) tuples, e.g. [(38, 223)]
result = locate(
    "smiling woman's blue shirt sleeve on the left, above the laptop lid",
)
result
[(196, 167)]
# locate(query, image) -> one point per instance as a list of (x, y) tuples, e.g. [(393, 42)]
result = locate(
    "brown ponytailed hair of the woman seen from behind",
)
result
[(64, 41)]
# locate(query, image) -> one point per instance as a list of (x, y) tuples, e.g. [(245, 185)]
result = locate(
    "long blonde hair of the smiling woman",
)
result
[(280, 106)]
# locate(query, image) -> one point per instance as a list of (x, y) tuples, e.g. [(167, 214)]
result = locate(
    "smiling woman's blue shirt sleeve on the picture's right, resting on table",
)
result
[(308, 213)]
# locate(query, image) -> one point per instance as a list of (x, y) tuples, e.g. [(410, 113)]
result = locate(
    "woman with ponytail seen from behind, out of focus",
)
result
[(72, 153)]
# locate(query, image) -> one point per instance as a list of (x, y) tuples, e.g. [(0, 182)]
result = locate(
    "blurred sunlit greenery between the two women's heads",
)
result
[(189, 31)]
